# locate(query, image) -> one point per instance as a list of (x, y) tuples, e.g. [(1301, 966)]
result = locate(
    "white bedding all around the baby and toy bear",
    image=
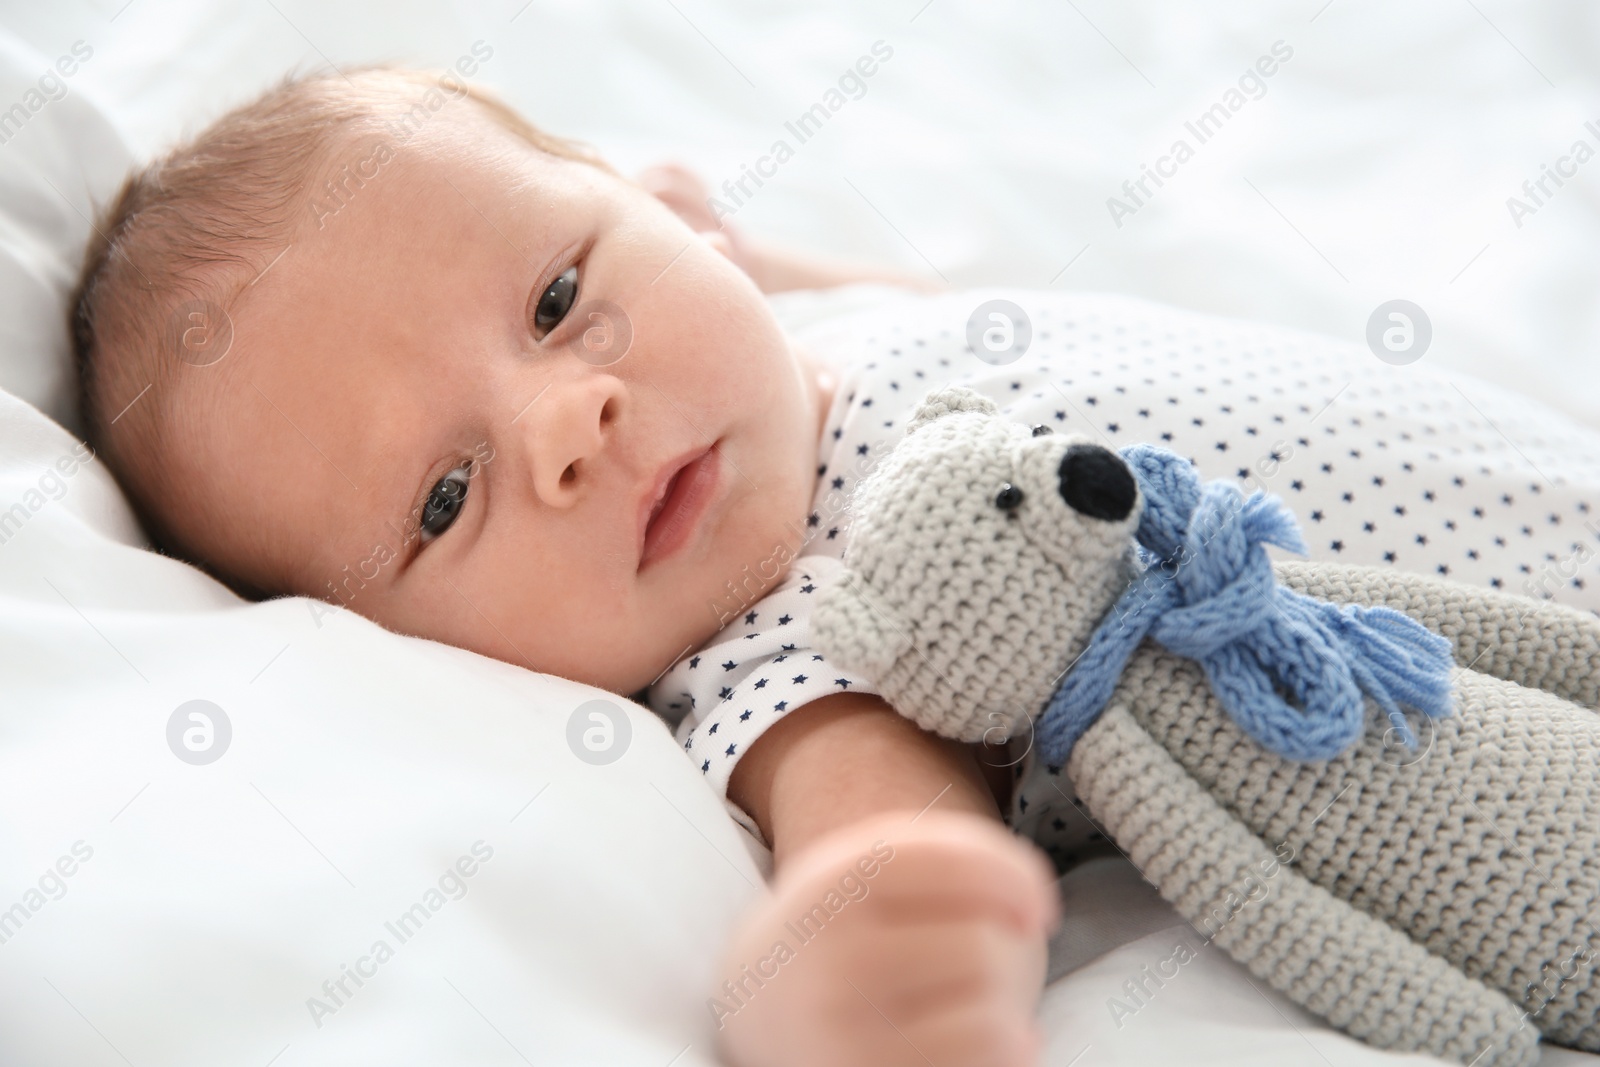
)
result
[(983, 153)]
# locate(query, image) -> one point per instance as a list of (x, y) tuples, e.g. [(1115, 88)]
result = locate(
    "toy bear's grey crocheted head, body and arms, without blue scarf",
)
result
[(1442, 901)]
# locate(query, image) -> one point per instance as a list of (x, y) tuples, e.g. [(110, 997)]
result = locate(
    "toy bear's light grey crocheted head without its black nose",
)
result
[(970, 641)]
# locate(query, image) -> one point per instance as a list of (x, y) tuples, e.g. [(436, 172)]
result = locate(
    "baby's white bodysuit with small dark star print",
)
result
[(1391, 466)]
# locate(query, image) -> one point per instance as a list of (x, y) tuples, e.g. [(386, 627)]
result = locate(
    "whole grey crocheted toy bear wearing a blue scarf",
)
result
[(1218, 714)]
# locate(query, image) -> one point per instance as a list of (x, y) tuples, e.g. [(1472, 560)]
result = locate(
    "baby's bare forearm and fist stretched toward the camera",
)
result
[(946, 948)]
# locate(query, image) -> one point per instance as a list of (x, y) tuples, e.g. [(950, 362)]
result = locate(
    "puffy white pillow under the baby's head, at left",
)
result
[(159, 911)]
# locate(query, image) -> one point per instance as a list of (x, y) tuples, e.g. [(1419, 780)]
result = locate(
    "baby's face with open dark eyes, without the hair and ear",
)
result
[(410, 423)]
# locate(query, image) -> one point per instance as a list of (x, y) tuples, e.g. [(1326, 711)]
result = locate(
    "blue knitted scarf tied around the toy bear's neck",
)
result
[(1209, 593)]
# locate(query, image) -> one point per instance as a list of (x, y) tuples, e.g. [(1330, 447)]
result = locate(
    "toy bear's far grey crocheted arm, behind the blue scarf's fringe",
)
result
[(1535, 644)]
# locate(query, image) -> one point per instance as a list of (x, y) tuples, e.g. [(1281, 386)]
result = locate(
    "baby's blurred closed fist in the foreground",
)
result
[(894, 943)]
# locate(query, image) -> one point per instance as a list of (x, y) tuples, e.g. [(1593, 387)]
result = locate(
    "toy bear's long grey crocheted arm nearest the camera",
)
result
[(1342, 964)]
